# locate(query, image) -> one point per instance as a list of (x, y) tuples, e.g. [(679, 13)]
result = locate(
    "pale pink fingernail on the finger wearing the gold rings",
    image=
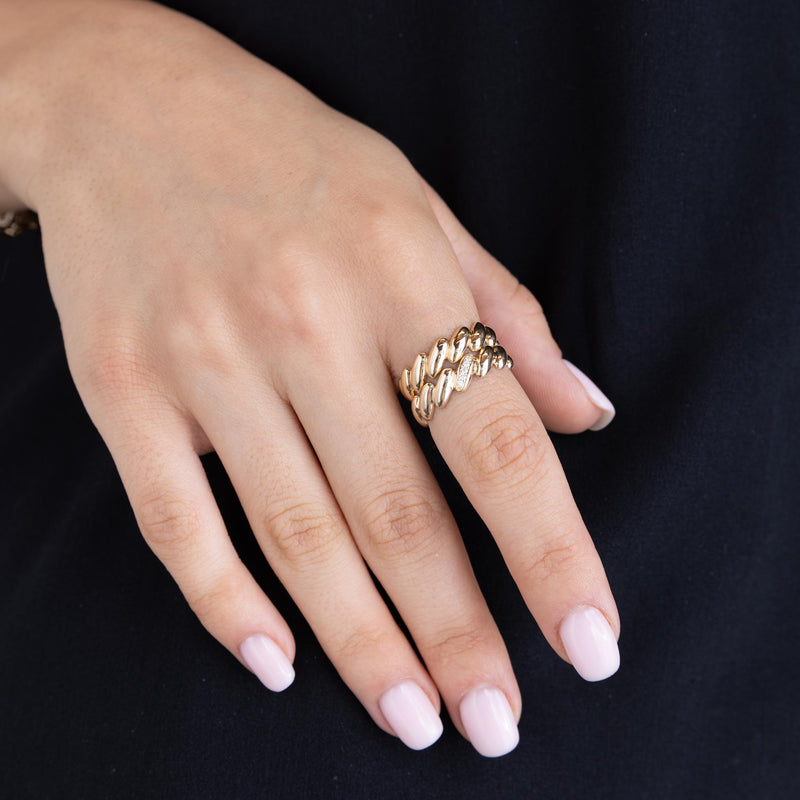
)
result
[(590, 643)]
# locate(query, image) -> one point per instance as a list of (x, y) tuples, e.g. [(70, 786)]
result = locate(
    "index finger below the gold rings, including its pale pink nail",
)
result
[(499, 451)]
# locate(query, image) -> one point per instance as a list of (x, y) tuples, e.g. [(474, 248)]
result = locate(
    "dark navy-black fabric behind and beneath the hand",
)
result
[(637, 165)]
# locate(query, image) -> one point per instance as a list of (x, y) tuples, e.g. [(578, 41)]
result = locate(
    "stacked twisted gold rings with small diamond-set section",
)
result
[(449, 367)]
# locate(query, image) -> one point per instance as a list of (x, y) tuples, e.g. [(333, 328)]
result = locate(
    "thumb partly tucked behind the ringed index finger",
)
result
[(566, 399)]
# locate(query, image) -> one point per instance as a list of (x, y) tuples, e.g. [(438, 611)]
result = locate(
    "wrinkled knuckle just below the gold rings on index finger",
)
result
[(505, 451)]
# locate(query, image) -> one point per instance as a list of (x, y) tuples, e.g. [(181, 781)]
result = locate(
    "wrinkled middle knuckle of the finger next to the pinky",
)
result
[(305, 534)]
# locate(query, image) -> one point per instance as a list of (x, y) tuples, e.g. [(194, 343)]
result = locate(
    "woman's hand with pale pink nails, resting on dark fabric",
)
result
[(237, 267)]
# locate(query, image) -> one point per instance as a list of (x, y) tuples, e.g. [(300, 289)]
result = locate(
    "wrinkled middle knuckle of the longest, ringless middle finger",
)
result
[(401, 523)]
